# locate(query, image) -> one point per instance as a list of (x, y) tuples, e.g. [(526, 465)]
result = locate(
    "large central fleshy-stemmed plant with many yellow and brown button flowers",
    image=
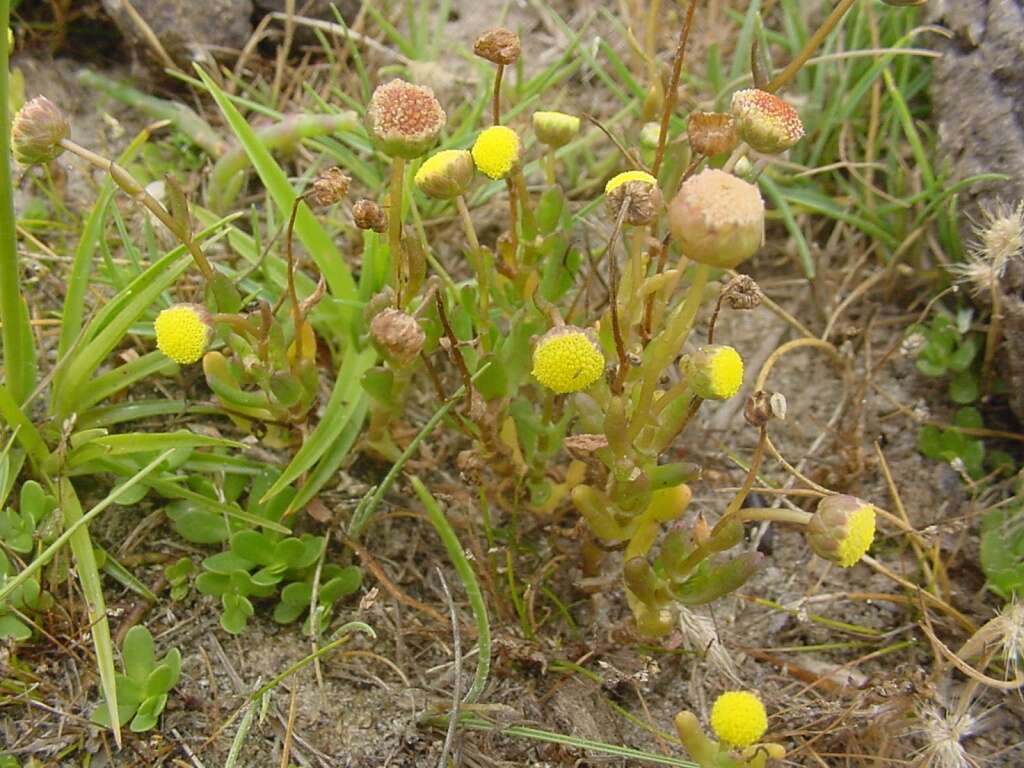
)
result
[(615, 382)]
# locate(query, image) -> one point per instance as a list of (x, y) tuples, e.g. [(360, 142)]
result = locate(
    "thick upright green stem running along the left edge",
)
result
[(19, 355)]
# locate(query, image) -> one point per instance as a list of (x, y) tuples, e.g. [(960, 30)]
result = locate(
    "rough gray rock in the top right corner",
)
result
[(978, 94)]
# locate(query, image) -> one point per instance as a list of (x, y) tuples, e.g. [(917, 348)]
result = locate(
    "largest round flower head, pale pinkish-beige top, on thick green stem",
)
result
[(717, 219)]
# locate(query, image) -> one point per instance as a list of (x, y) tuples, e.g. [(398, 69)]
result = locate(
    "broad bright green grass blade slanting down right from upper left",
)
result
[(320, 245)]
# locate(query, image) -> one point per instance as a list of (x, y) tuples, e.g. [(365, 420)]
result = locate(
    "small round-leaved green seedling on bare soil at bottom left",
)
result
[(145, 686)]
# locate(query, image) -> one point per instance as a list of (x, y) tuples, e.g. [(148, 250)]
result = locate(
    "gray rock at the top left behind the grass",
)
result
[(188, 30)]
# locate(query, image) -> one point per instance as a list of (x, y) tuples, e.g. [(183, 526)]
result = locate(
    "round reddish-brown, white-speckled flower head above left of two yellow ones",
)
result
[(406, 119)]
